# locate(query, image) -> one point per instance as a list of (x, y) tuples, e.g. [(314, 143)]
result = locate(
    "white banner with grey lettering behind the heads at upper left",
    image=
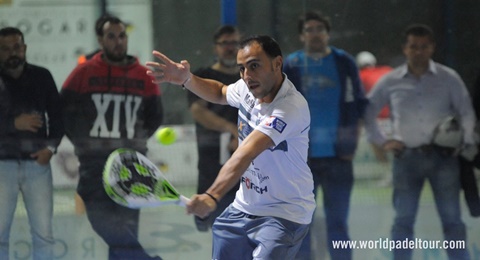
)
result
[(57, 32)]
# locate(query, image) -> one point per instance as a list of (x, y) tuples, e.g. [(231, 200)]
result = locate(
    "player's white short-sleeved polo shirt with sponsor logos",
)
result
[(278, 182)]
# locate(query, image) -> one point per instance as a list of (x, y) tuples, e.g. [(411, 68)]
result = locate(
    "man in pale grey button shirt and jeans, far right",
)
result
[(421, 93)]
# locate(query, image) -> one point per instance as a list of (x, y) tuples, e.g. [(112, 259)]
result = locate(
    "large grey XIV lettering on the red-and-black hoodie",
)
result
[(121, 103)]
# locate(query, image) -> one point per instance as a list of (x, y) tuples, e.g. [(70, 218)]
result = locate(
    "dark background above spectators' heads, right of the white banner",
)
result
[(183, 30)]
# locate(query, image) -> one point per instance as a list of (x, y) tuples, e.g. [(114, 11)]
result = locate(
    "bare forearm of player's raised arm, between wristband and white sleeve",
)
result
[(210, 90)]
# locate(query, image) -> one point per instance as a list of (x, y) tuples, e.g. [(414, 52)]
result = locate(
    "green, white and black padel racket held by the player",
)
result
[(132, 180)]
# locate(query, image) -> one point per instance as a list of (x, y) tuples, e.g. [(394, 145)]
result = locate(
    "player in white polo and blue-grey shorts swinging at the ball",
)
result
[(273, 207)]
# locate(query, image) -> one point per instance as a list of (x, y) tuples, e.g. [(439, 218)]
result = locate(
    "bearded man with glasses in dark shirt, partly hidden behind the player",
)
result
[(216, 125)]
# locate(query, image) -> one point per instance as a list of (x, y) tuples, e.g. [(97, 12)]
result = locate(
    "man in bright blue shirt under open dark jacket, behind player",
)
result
[(328, 78)]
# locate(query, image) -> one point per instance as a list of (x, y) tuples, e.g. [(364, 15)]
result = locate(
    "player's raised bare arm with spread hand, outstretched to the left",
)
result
[(169, 71)]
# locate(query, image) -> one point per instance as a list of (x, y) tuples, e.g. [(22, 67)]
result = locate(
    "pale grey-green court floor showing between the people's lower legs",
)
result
[(170, 233)]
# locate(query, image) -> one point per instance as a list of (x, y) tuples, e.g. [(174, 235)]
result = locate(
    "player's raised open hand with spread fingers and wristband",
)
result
[(168, 70)]
